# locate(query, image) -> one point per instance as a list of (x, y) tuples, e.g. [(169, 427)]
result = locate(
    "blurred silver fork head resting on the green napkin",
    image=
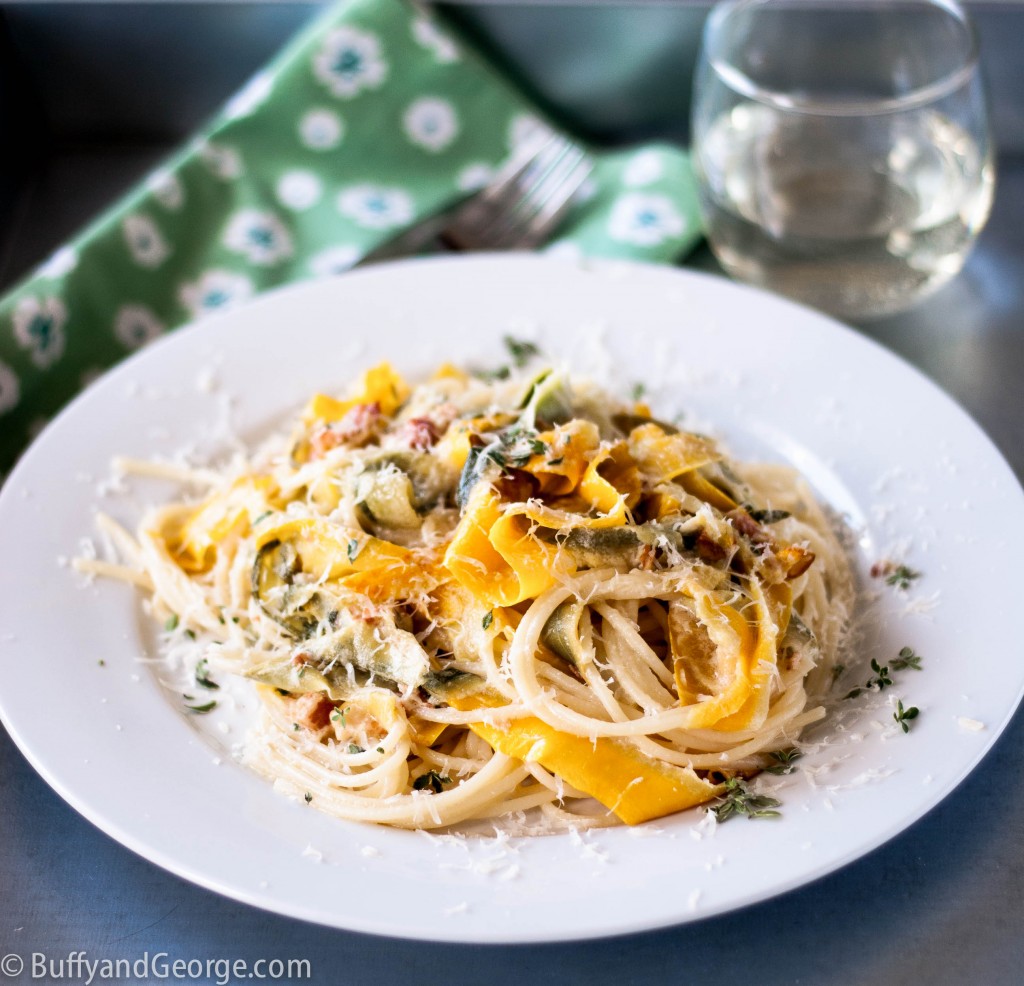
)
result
[(526, 201)]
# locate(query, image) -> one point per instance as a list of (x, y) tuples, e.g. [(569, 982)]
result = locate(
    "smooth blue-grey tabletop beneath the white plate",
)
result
[(943, 904)]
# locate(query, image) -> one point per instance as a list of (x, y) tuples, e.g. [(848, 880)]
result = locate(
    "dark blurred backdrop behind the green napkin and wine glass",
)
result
[(94, 95)]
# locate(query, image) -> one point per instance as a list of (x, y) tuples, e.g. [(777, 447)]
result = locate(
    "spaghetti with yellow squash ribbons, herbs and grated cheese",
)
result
[(473, 598)]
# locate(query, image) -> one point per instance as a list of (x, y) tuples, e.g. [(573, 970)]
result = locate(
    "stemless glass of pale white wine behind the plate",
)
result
[(842, 148)]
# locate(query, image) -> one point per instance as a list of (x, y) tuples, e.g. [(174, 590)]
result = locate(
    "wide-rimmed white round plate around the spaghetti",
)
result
[(917, 480)]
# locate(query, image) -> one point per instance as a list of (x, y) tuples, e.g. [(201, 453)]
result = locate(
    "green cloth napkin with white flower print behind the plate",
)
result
[(372, 120)]
